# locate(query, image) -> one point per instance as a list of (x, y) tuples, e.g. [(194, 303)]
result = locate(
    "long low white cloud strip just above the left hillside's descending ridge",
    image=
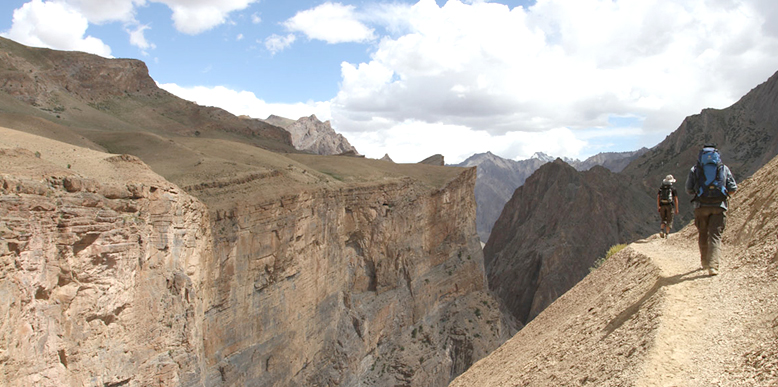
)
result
[(247, 103)]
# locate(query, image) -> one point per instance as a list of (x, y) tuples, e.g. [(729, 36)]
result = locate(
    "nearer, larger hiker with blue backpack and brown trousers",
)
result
[(711, 183)]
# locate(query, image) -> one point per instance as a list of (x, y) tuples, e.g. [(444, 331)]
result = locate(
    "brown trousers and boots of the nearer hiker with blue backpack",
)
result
[(710, 222)]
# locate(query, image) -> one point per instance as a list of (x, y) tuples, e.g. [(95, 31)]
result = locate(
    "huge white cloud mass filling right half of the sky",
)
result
[(490, 70)]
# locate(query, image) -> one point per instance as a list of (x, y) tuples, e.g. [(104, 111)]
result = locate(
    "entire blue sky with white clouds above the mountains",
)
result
[(413, 78)]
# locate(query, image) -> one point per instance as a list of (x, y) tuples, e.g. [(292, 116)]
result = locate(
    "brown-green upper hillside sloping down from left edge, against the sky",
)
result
[(74, 91)]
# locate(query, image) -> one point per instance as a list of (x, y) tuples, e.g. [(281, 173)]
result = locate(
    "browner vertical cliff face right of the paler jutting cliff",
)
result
[(378, 284)]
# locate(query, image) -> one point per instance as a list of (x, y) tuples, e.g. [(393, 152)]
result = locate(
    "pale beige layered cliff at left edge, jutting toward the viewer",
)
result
[(100, 278)]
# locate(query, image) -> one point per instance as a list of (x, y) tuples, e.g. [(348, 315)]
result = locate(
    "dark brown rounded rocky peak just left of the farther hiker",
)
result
[(553, 230)]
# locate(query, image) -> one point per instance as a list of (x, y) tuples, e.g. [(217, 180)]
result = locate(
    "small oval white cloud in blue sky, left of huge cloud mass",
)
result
[(332, 23)]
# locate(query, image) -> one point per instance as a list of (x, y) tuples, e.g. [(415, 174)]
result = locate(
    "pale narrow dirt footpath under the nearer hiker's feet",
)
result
[(703, 333)]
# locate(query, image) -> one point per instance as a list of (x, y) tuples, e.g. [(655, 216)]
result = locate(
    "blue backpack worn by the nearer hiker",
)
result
[(711, 187)]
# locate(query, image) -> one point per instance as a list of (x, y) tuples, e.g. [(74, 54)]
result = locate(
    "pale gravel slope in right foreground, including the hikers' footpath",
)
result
[(650, 317)]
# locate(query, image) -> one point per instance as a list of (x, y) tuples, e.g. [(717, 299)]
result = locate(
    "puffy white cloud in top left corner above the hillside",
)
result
[(54, 25)]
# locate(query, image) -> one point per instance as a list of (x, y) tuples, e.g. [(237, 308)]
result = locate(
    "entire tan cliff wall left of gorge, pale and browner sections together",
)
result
[(115, 276)]
